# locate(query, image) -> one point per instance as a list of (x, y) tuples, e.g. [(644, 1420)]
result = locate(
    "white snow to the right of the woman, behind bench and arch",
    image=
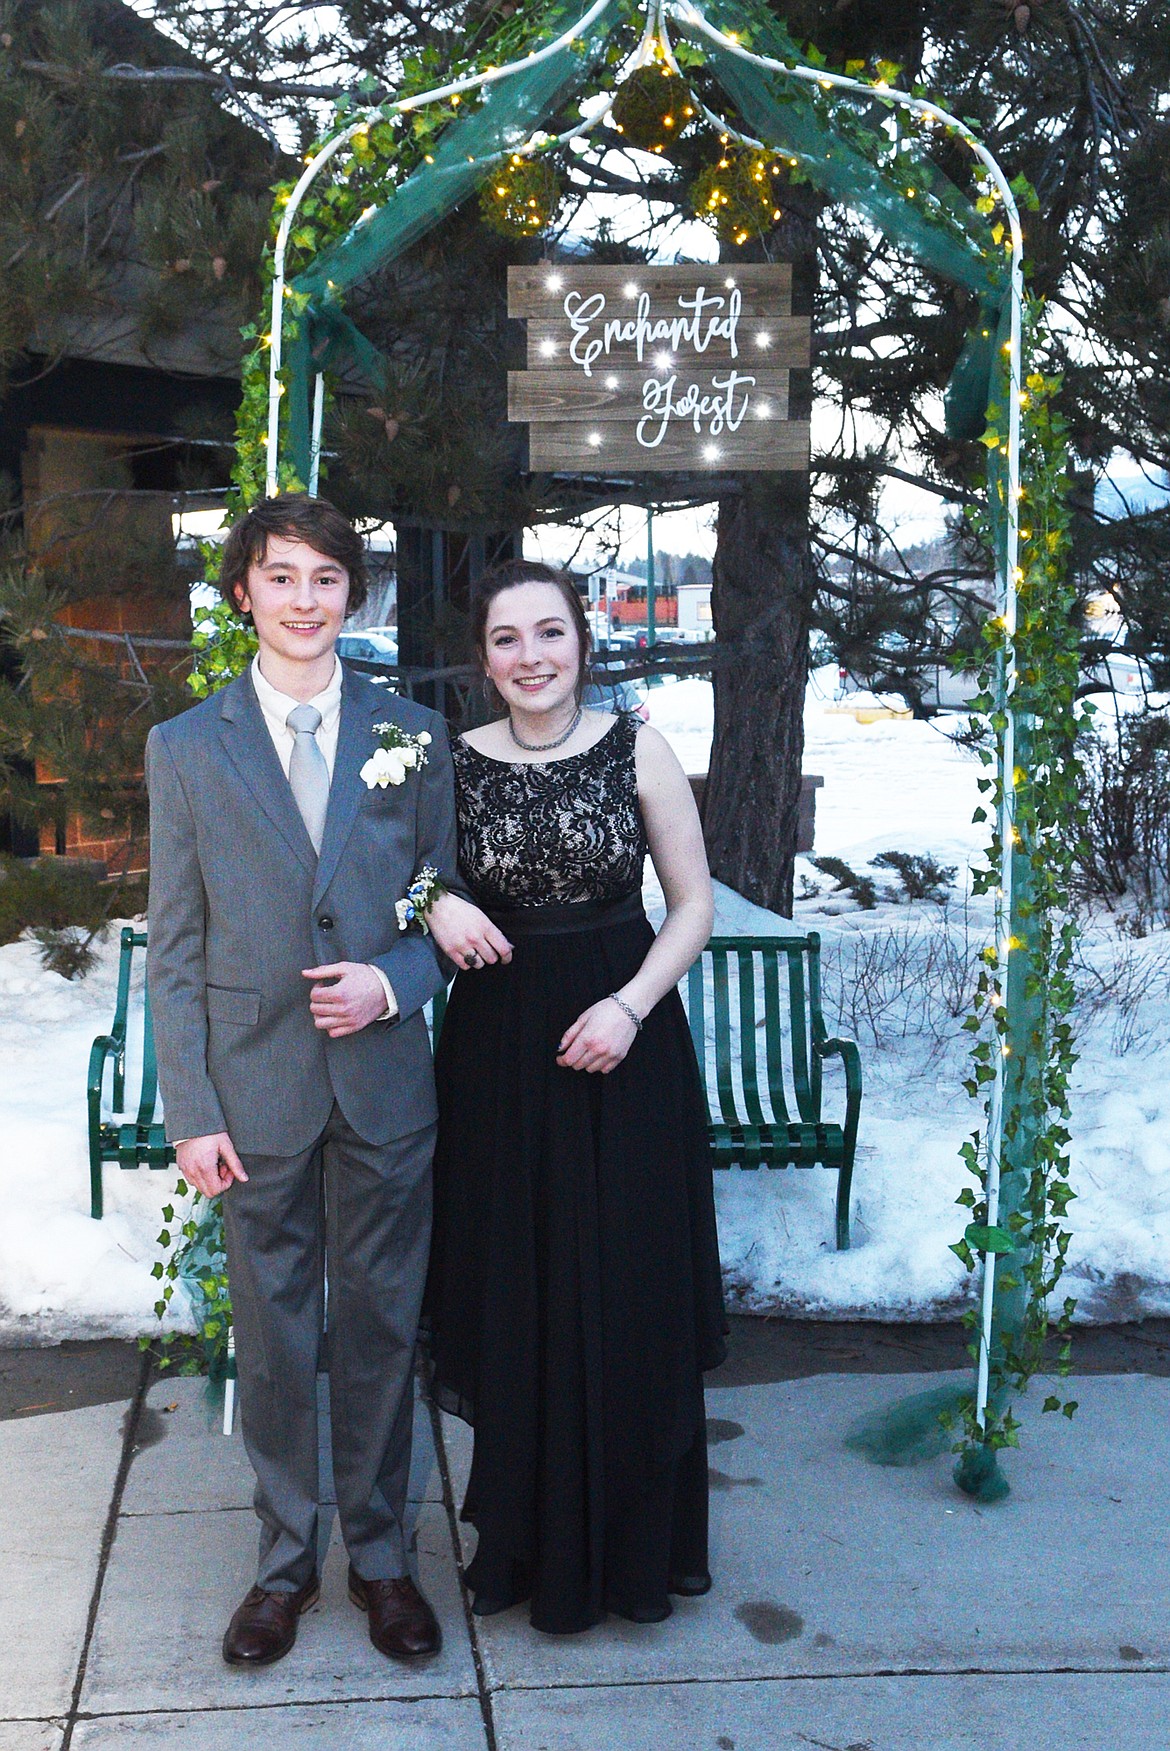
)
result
[(905, 785)]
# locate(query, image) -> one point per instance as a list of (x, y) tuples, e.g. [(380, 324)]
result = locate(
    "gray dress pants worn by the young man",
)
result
[(360, 1213)]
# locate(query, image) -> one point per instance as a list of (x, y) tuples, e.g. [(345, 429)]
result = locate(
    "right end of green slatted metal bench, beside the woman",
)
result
[(765, 1093)]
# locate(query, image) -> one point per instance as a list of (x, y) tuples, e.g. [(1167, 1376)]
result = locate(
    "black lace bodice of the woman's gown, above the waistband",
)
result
[(556, 831)]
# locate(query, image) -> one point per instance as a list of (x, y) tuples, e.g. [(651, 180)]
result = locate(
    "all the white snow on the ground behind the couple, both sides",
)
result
[(894, 980)]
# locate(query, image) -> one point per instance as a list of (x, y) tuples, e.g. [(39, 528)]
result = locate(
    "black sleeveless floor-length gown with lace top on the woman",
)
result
[(575, 1291)]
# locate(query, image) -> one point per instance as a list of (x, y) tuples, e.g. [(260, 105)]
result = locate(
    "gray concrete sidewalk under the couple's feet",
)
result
[(856, 1608)]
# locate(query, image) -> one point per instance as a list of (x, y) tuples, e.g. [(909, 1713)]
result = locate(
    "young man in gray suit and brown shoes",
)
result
[(293, 1053)]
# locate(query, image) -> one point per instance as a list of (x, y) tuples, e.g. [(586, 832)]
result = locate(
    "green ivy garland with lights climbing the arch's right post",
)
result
[(1033, 1242)]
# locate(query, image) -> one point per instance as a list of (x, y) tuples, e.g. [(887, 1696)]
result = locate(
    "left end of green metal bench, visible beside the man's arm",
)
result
[(130, 1141)]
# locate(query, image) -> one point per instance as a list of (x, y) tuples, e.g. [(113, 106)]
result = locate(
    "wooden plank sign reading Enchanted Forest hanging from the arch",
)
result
[(659, 370)]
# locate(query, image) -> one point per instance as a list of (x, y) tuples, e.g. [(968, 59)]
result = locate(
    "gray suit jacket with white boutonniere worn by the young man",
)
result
[(241, 904)]
